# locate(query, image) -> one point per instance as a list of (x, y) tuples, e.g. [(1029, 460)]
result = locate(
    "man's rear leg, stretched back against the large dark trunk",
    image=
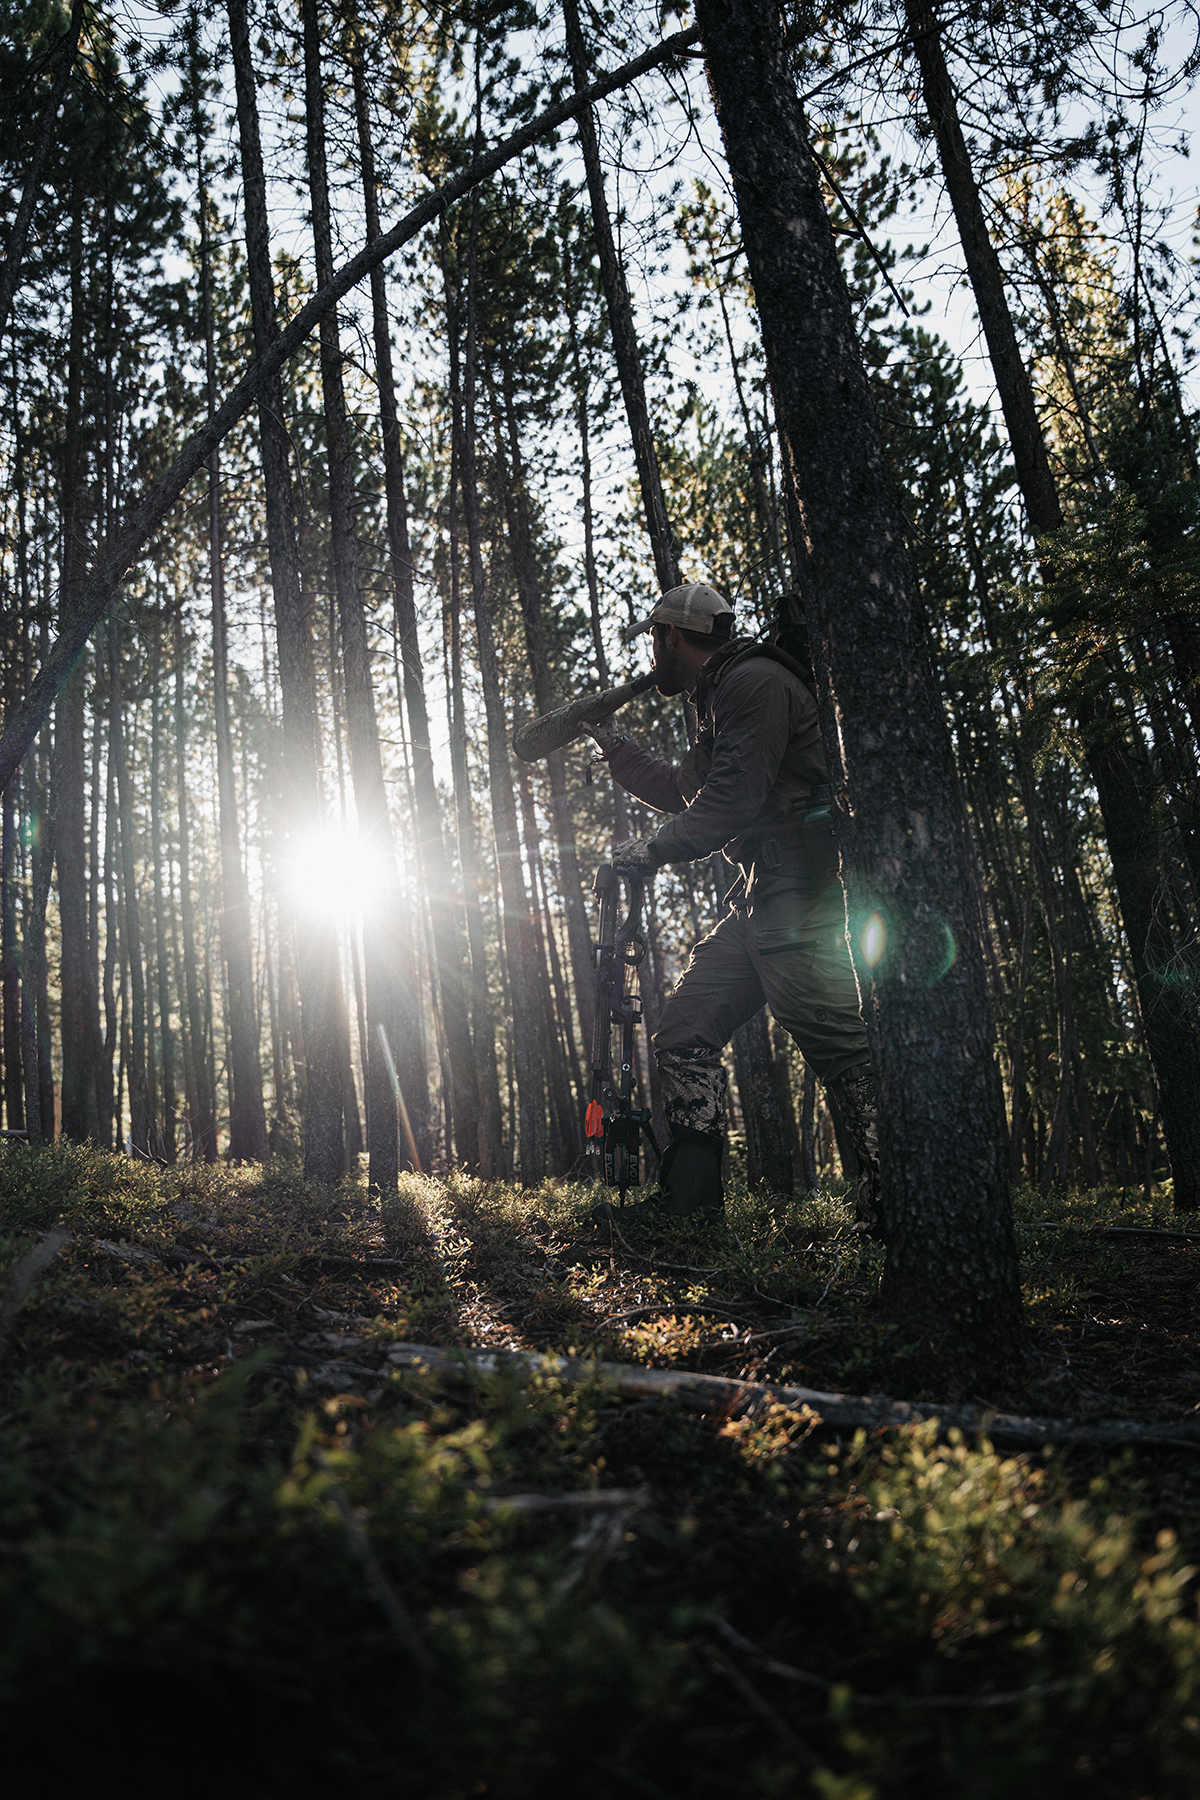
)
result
[(800, 949)]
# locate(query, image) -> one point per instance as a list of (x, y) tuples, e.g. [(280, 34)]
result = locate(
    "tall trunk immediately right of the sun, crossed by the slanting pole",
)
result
[(393, 1039)]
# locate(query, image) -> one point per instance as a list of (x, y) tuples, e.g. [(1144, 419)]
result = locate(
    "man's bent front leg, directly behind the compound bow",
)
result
[(719, 991)]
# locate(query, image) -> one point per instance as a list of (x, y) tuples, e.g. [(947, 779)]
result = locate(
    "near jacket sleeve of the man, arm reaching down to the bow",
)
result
[(753, 724)]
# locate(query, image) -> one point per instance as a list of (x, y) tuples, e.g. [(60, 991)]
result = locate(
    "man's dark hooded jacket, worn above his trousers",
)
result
[(749, 777)]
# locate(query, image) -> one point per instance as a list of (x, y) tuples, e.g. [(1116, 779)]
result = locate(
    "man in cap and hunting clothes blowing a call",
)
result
[(755, 786)]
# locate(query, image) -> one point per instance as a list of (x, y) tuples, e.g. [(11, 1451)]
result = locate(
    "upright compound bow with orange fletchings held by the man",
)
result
[(614, 1126)]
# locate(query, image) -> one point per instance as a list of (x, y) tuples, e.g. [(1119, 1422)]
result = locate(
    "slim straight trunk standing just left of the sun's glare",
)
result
[(247, 1117)]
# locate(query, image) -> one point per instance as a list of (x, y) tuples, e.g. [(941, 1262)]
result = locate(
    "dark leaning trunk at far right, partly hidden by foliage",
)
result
[(1129, 820)]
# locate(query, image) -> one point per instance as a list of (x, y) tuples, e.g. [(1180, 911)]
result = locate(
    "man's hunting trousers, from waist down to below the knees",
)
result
[(791, 955)]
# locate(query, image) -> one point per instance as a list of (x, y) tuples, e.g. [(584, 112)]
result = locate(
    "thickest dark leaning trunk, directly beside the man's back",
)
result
[(951, 1259)]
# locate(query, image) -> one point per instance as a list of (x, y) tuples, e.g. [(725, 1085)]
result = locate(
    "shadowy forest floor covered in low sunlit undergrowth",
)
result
[(246, 1554)]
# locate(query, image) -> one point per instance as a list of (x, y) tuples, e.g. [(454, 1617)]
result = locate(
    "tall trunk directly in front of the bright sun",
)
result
[(318, 957)]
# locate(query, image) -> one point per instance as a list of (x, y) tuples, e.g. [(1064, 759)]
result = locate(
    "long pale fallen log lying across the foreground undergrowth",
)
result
[(843, 1412)]
